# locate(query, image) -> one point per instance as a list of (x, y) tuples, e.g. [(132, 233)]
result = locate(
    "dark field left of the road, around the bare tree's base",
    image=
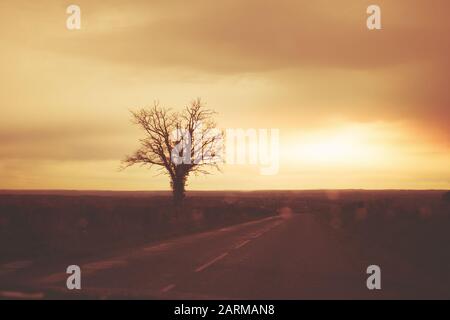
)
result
[(40, 224)]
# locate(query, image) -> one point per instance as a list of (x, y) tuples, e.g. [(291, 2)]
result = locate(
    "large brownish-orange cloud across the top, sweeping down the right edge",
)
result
[(404, 66)]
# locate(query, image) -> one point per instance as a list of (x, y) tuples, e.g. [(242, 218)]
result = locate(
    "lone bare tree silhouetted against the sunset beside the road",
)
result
[(177, 143)]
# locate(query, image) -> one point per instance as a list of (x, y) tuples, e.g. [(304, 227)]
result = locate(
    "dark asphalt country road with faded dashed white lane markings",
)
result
[(294, 257)]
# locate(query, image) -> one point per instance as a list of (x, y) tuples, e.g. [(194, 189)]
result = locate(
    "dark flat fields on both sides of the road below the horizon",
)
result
[(405, 231)]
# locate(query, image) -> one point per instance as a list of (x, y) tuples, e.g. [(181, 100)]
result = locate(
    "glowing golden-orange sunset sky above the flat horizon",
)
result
[(355, 108)]
